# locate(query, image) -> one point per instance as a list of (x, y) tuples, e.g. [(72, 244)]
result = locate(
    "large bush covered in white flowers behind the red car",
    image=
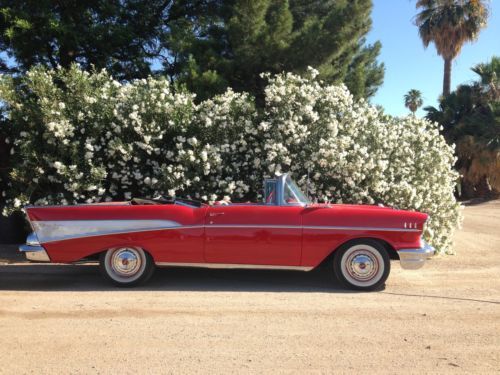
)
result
[(80, 137)]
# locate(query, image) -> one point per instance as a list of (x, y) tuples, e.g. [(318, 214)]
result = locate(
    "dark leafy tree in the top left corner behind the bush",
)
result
[(120, 35)]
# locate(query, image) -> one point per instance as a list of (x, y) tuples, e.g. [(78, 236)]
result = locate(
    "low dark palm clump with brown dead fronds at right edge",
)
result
[(470, 117)]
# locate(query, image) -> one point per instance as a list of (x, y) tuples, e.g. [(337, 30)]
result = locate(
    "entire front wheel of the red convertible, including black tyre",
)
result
[(362, 265)]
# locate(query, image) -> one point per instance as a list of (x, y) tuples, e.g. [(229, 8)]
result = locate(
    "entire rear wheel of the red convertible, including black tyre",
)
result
[(126, 266)]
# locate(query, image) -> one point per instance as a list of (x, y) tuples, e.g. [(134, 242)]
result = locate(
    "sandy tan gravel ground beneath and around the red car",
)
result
[(442, 318)]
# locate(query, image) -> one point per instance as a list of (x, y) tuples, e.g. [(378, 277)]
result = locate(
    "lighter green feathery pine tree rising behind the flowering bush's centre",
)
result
[(246, 38)]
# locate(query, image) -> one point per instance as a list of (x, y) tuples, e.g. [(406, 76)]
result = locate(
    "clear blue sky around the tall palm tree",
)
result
[(409, 66)]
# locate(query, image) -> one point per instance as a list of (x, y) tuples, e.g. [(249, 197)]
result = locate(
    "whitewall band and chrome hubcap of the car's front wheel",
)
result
[(362, 265)]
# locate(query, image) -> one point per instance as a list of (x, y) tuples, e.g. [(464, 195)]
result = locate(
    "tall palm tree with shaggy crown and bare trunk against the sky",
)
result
[(449, 24)]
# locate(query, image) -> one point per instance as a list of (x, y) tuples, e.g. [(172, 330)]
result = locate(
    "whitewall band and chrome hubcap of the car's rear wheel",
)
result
[(125, 264)]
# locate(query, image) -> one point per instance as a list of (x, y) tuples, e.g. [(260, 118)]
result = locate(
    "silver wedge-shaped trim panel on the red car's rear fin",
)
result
[(50, 231)]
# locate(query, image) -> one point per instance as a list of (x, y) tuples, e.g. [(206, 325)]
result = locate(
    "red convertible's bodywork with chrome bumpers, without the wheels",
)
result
[(289, 235)]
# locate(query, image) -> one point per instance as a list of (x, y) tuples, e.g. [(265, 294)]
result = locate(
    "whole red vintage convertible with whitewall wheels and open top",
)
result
[(284, 232)]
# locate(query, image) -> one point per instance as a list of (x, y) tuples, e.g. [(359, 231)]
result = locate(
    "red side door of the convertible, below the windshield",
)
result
[(256, 234)]
